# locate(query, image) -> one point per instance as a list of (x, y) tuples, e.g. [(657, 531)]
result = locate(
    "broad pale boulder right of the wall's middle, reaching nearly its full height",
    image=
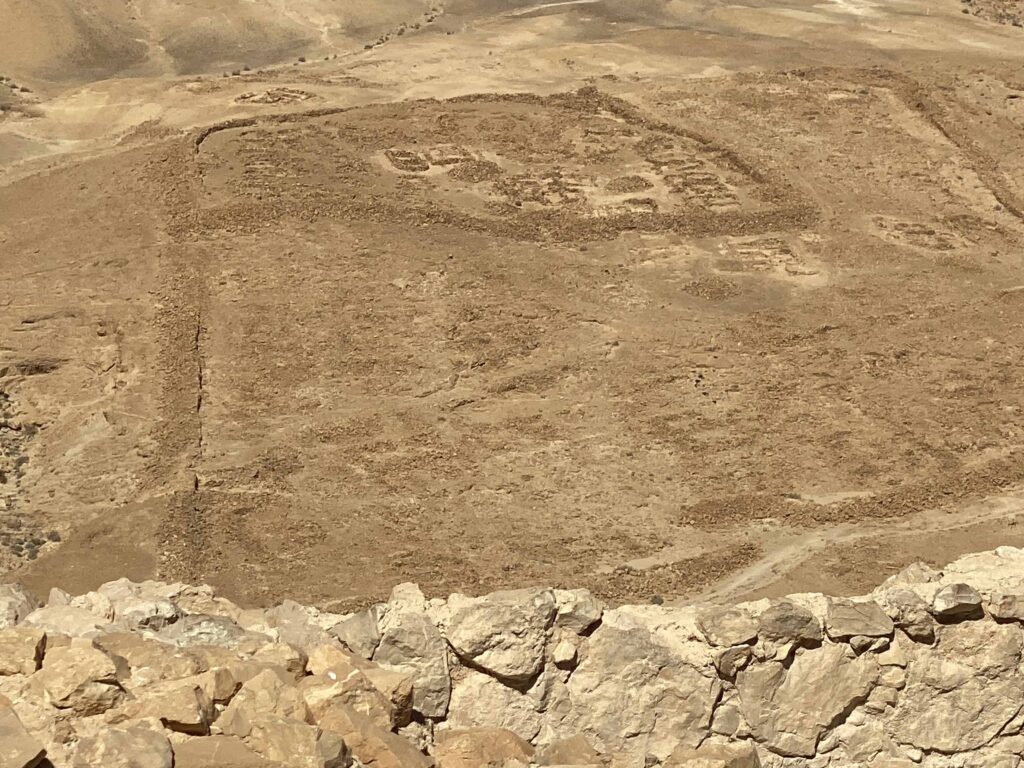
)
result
[(639, 690)]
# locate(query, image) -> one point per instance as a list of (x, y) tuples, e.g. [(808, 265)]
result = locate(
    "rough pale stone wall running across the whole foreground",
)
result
[(926, 671)]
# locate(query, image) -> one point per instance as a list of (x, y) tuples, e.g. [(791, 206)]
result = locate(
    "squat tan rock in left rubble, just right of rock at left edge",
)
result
[(82, 679)]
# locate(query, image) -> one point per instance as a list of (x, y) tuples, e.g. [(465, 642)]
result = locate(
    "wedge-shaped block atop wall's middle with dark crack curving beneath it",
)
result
[(505, 633)]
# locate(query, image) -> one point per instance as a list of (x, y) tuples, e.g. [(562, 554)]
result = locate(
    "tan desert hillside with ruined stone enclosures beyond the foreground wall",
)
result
[(667, 300)]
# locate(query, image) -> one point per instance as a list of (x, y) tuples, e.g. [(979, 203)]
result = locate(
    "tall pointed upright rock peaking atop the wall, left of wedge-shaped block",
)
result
[(411, 643)]
